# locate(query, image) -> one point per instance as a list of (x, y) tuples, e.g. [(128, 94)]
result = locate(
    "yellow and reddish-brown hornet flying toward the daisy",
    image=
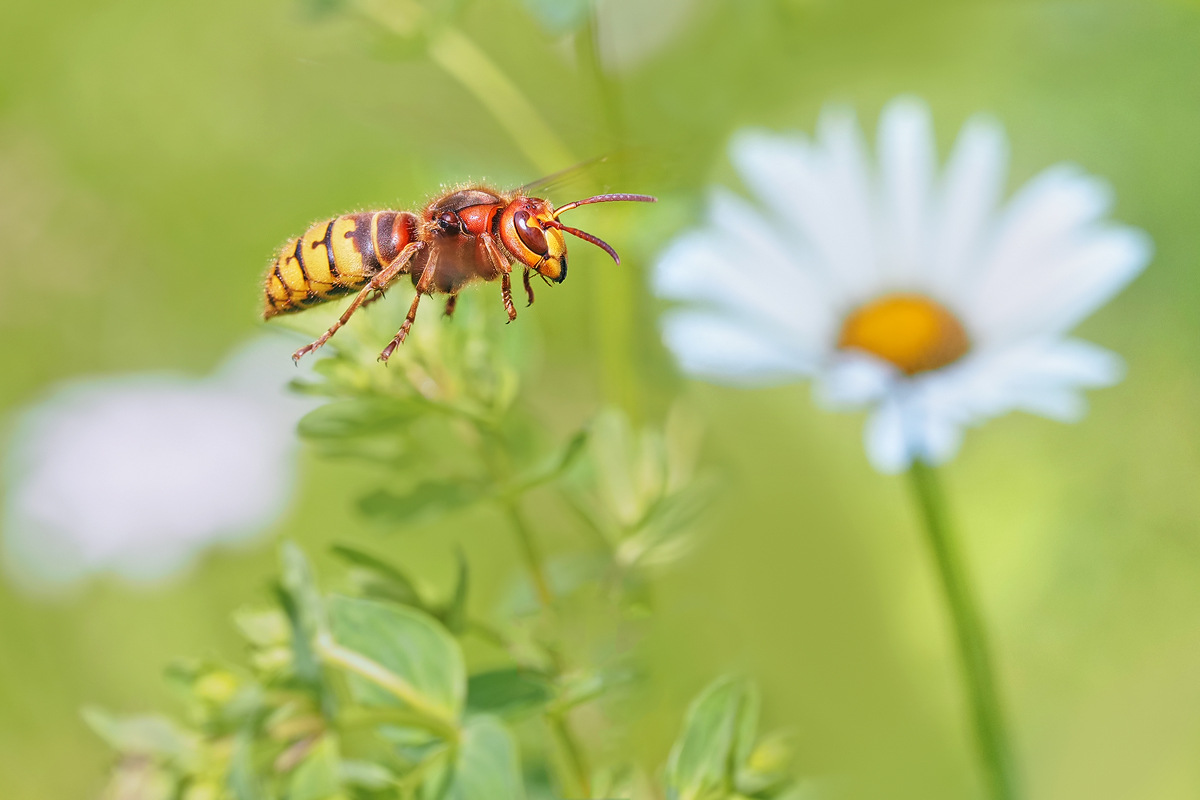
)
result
[(461, 237)]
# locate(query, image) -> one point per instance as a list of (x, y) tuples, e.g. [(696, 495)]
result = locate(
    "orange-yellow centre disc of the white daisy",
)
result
[(910, 330)]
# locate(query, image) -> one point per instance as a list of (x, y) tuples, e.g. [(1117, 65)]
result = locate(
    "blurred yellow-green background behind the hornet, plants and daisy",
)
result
[(153, 155)]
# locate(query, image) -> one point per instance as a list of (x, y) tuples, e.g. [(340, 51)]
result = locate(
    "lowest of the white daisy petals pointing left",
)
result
[(721, 350)]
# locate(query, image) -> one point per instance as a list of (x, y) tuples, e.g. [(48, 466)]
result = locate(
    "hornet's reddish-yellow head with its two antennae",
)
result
[(531, 231)]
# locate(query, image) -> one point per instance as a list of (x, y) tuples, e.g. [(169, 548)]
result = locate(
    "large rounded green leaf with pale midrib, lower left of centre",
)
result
[(409, 643)]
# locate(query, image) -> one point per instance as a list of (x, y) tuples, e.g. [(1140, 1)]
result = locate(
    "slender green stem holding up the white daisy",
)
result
[(977, 671)]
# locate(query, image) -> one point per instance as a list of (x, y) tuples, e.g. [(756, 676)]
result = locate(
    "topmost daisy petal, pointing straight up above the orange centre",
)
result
[(907, 176)]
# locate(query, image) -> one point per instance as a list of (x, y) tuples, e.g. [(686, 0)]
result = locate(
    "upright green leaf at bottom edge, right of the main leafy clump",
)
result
[(717, 741)]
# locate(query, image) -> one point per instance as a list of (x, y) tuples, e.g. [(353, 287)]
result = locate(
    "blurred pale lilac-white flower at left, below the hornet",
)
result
[(136, 476)]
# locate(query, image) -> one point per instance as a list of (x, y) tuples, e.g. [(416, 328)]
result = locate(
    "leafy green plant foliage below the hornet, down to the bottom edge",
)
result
[(367, 693)]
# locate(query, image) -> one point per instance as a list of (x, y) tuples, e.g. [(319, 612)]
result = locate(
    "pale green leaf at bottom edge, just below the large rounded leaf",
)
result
[(487, 767)]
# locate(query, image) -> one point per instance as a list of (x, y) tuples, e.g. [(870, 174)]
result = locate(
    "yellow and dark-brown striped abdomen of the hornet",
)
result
[(335, 257)]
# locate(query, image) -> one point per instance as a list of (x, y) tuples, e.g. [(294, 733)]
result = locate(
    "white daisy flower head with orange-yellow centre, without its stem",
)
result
[(897, 288)]
